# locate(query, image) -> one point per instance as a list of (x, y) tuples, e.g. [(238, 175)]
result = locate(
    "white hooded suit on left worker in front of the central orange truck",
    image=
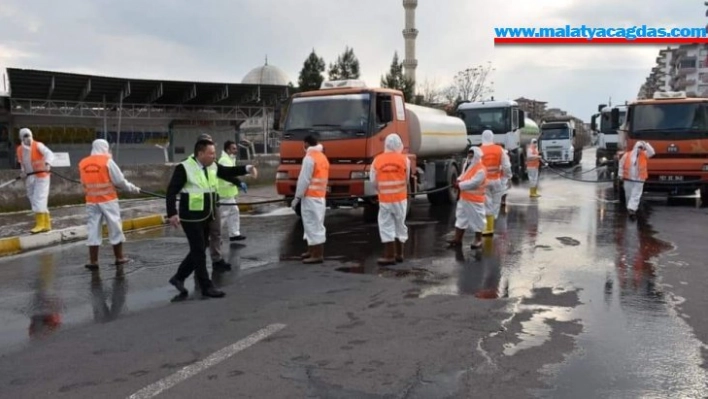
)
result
[(312, 209)]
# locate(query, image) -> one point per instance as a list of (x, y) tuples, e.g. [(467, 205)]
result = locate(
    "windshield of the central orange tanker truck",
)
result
[(330, 117)]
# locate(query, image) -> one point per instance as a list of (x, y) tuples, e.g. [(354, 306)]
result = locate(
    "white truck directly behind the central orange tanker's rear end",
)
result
[(506, 120)]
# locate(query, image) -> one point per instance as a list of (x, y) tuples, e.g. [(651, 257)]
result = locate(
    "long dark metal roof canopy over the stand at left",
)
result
[(27, 84)]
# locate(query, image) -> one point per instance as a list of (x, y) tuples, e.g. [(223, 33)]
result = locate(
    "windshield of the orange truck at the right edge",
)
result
[(676, 121)]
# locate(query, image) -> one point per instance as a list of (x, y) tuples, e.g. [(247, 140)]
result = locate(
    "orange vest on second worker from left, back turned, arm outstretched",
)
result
[(96, 179)]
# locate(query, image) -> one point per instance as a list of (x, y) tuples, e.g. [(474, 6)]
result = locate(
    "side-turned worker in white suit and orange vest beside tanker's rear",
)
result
[(471, 209)]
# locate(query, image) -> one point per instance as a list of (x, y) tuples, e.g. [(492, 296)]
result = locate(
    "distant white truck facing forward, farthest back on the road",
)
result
[(559, 142)]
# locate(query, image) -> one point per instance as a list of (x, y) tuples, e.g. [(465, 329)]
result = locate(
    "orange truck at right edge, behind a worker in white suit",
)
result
[(676, 126)]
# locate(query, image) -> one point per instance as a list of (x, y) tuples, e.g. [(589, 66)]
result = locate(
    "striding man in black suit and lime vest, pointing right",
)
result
[(196, 183)]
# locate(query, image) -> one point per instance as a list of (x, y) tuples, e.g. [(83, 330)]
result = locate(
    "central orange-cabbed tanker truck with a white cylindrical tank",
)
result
[(351, 121)]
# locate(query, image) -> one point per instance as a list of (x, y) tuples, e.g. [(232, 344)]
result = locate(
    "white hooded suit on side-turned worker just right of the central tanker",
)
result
[(471, 215)]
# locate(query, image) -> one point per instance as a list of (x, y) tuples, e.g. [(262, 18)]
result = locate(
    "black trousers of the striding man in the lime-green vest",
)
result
[(197, 234)]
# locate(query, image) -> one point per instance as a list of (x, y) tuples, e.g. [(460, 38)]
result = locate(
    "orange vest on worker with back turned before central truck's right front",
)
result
[(391, 175)]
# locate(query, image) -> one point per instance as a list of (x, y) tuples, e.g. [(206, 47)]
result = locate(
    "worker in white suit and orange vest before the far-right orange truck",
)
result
[(633, 171)]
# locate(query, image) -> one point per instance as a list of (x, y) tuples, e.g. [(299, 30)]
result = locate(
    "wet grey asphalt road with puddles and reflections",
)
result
[(570, 299)]
